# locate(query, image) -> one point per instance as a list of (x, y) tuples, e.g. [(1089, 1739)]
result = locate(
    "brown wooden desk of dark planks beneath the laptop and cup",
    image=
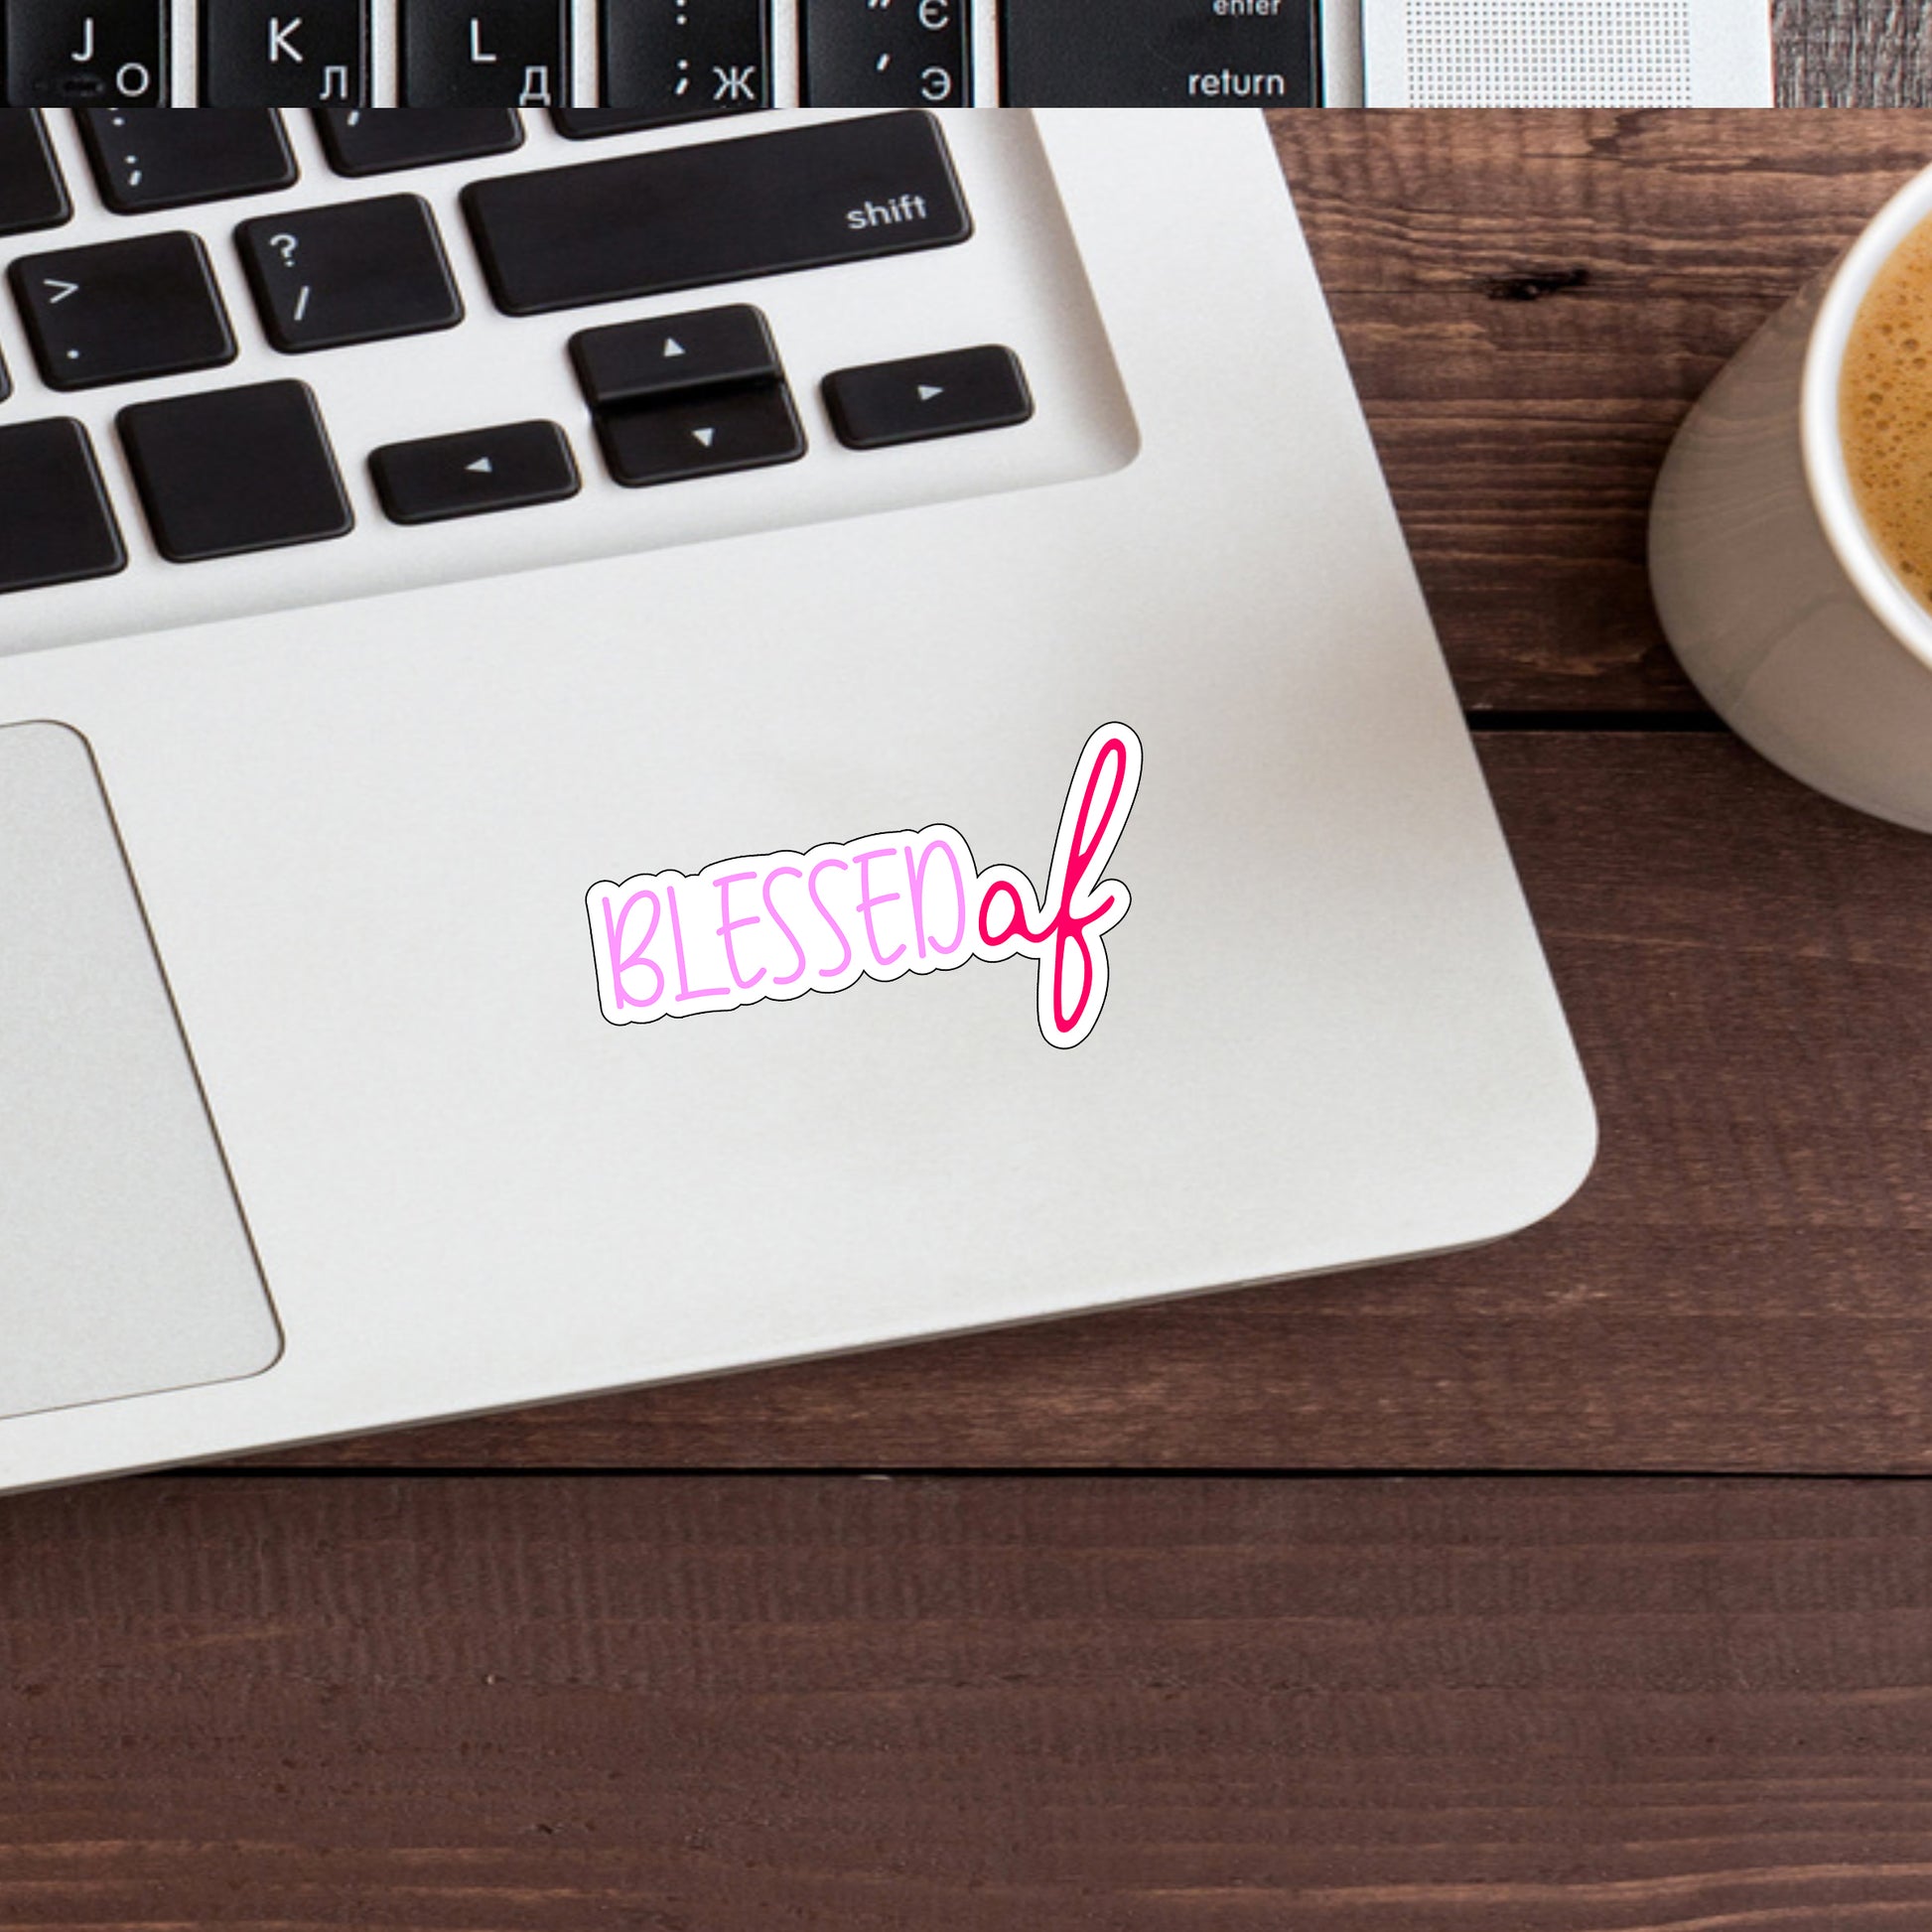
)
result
[(1456, 1703)]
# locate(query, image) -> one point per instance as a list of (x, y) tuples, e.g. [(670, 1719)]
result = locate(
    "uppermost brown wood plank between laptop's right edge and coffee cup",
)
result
[(1531, 302)]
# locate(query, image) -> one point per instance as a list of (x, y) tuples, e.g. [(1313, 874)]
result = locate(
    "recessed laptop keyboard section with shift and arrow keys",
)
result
[(262, 360)]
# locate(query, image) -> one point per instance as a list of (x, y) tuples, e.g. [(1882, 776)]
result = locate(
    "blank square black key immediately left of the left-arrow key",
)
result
[(235, 470)]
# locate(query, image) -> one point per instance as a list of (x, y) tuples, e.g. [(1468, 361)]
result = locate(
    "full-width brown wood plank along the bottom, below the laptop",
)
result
[(1112, 1705)]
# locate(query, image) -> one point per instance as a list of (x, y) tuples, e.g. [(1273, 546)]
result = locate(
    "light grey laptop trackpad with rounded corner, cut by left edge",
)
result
[(125, 1263)]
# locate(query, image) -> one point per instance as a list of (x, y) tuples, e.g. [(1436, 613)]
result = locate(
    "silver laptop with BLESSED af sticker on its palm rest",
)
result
[(637, 758)]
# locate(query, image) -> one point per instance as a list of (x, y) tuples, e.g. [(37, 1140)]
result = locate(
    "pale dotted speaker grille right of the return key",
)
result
[(1550, 53)]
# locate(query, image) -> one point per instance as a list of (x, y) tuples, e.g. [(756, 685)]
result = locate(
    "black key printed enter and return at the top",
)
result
[(1162, 53)]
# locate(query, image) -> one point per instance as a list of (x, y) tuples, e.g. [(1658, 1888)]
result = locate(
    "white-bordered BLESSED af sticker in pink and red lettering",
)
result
[(781, 924)]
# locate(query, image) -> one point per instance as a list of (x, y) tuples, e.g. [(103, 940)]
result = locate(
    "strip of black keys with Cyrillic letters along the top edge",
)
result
[(662, 61)]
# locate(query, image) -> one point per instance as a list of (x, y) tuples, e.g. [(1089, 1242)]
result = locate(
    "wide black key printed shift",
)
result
[(720, 212)]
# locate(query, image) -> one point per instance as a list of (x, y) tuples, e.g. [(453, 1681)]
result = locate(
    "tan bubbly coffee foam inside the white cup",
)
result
[(1885, 412)]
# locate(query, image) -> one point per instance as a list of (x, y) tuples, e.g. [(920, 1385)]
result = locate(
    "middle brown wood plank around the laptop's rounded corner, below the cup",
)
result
[(1744, 1284)]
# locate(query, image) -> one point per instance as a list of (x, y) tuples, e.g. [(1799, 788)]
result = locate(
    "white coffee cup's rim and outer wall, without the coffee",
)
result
[(1773, 592)]
